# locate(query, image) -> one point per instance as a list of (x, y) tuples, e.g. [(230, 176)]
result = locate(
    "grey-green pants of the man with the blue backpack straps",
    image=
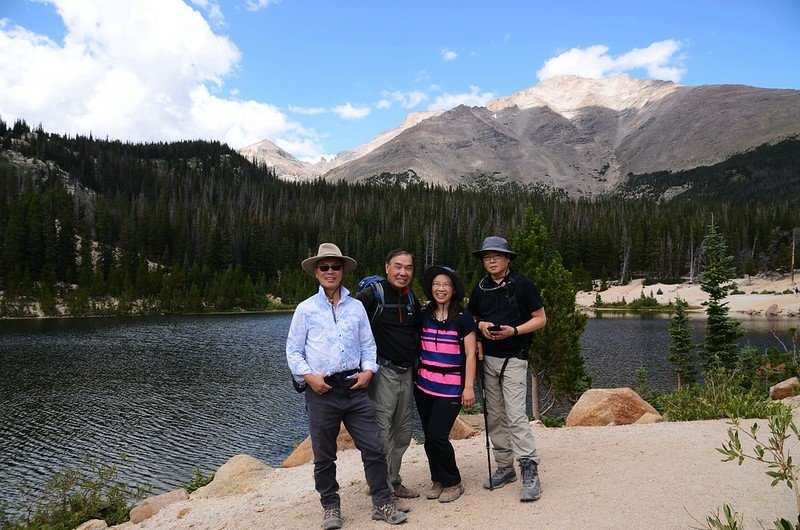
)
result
[(392, 394)]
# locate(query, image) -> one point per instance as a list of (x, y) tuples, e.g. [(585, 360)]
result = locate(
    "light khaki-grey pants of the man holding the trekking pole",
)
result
[(509, 427)]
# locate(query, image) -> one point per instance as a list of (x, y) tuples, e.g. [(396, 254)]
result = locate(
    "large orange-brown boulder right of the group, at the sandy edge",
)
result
[(608, 406)]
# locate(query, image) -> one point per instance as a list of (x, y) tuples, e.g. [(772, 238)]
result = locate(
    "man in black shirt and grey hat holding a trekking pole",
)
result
[(507, 308)]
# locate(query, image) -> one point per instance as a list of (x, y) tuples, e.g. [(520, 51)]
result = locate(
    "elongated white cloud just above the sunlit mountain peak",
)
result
[(661, 60)]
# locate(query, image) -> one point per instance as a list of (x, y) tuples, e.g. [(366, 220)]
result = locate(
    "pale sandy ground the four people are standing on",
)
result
[(665, 475)]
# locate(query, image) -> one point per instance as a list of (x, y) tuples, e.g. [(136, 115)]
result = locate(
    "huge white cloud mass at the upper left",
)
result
[(140, 70)]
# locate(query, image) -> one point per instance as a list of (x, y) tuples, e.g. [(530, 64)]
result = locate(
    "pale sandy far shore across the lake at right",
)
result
[(751, 303)]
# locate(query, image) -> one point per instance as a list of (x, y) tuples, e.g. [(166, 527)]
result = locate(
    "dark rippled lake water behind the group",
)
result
[(161, 396)]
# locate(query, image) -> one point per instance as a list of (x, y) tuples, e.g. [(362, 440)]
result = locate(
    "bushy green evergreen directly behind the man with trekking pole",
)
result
[(555, 357)]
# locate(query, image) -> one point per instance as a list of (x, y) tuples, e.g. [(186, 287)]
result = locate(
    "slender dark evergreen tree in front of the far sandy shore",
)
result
[(722, 331)]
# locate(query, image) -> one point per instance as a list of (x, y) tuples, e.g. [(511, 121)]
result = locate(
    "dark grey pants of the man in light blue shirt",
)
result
[(355, 409)]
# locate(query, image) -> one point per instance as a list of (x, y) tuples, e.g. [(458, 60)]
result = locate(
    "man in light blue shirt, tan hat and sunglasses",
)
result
[(330, 348)]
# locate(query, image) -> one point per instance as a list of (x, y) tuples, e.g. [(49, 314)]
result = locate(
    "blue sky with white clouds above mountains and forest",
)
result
[(321, 76)]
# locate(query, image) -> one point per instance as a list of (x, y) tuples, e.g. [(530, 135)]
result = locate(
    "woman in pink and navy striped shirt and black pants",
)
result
[(445, 375)]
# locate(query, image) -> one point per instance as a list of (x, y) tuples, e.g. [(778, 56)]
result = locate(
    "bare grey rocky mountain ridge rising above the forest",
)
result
[(583, 136)]
